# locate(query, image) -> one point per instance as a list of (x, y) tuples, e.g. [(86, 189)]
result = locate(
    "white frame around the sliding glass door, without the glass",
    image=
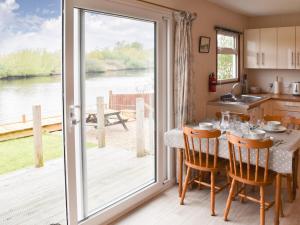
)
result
[(163, 19)]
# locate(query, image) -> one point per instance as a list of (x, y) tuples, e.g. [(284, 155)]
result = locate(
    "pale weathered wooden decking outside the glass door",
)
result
[(36, 196)]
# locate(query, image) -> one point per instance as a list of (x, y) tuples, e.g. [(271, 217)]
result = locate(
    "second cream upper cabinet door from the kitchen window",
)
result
[(268, 42)]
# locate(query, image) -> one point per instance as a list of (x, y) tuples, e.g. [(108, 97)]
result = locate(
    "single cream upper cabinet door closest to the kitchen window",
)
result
[(252, 39)]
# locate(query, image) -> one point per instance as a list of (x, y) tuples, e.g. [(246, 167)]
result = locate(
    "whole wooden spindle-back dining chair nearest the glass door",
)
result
[(198, 157)]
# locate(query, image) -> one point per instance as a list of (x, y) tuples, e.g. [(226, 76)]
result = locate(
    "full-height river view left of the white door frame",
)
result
[(31, 191)]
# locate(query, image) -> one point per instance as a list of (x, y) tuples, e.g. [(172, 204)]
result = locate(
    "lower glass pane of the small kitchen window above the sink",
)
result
[(227, 66)]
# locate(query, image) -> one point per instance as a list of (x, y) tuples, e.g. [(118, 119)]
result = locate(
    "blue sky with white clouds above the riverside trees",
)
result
[(36, 24)]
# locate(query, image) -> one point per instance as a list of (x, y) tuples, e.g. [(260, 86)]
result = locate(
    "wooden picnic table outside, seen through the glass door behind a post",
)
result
[(111, 117)]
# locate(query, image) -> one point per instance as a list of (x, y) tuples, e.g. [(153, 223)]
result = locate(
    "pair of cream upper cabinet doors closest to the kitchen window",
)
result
[(260, 48)]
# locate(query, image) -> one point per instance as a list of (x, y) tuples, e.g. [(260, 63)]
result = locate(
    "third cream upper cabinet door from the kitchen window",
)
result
[(286, 48)]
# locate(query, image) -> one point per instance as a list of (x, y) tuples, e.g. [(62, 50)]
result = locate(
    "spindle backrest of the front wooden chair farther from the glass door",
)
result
[(241, 150)]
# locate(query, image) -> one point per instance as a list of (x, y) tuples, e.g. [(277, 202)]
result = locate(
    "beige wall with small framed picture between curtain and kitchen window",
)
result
[(209, 15)]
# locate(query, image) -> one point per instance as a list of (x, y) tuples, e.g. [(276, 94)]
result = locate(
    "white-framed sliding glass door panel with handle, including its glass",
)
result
[(116, 106)]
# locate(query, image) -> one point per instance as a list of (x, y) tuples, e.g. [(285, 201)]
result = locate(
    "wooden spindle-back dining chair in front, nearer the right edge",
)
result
[(243, 170)]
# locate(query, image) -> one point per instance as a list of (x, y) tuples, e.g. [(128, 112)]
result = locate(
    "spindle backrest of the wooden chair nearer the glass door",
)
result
[(193, 140)]
